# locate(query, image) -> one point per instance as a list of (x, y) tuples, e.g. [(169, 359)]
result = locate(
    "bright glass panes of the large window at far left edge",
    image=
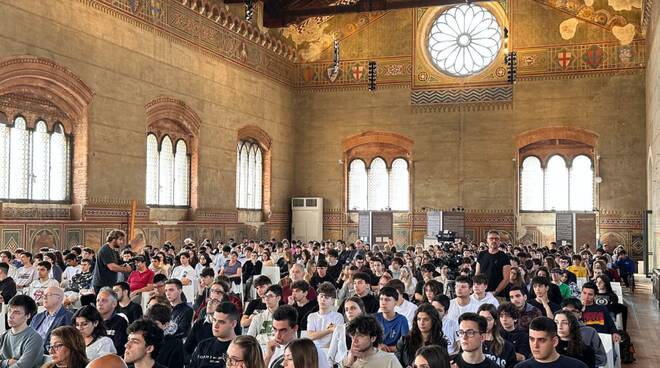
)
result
[(34, 163)]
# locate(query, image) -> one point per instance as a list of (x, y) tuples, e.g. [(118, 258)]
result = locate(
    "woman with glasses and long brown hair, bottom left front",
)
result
[(66, 348)]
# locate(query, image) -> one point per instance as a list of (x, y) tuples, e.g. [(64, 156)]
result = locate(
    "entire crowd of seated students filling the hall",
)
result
[(336, 304)]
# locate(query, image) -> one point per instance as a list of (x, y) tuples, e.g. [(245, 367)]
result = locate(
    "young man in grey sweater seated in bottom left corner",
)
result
[(21, 345)]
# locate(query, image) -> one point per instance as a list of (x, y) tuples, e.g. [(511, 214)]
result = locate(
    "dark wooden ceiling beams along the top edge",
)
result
[(281, 13)]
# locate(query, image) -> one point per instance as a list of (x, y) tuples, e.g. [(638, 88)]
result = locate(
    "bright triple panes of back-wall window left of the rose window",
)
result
[(377, 187)]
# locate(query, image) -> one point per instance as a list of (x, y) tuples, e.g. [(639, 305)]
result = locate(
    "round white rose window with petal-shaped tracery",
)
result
[(464, 40)]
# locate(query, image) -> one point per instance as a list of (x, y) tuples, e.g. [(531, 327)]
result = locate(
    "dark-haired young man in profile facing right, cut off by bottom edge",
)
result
[(144, 341)]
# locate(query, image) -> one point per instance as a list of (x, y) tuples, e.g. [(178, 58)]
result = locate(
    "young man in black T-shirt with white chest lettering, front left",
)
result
[(212, 352)]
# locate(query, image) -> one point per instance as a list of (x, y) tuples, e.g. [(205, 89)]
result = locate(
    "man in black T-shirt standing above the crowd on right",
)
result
[(494, 264)]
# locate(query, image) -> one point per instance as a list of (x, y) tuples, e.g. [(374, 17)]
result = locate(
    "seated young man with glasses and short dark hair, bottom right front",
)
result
[(471, 330)]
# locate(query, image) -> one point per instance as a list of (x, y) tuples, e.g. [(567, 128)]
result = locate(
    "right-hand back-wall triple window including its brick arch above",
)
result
[(557, 171)]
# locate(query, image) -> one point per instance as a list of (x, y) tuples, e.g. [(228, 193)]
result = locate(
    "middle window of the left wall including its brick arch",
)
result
[(171, 153)]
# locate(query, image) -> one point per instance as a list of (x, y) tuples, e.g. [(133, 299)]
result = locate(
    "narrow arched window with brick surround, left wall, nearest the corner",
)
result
[(253, 165)]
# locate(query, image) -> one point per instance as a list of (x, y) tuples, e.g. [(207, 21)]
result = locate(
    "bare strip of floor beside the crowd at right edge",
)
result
[(643, 324)]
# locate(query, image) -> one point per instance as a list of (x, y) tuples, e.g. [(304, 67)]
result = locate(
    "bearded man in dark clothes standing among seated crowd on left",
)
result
[(107, 263)]
